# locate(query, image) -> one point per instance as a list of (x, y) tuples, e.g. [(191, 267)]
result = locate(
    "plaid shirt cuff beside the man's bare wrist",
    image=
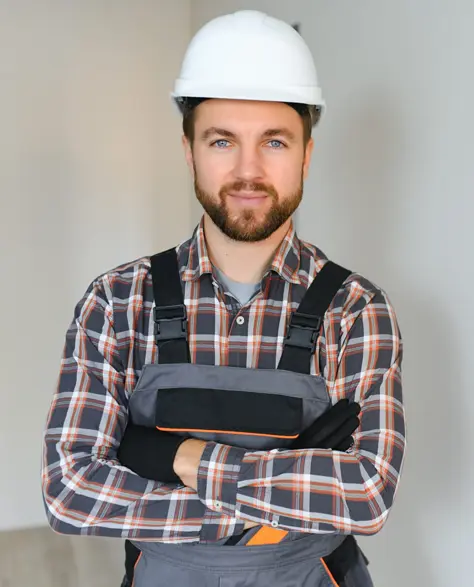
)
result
[(218, 476)]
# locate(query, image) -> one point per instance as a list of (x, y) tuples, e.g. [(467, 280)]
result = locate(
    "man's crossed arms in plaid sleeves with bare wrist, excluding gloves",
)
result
[(87, 491)]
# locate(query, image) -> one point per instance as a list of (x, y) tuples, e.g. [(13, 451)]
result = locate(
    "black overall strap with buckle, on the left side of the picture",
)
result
[(169, 313)]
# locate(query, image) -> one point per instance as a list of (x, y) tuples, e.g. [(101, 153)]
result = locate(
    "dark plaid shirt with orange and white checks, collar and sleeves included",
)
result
[(110, 339)]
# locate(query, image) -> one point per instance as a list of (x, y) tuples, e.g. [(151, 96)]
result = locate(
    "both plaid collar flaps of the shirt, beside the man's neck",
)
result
[(286, 261)]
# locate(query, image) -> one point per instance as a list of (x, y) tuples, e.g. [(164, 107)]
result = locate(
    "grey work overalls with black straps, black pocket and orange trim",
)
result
[(257, 409)]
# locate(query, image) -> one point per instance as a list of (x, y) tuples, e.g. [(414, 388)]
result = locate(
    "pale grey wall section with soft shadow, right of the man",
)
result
[(391, 195)]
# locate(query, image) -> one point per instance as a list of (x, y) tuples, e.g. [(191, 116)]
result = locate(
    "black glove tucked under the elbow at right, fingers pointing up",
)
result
[(333, 429)]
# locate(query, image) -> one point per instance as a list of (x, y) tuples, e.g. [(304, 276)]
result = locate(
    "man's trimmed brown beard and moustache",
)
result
[(246, 226)]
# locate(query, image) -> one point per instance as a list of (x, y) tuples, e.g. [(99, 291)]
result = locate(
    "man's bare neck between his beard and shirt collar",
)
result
[(241, 261)]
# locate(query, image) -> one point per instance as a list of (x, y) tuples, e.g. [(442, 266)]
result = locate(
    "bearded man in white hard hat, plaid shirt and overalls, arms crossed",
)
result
[(233, 406)]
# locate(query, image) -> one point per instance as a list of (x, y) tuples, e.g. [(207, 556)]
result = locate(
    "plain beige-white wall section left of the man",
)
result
[(91, 175)]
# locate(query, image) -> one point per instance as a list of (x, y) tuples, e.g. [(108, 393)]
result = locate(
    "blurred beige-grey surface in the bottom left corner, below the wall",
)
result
[(41, 558)]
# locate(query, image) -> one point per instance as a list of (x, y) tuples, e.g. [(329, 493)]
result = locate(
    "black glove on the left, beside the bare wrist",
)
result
[(150, 453)]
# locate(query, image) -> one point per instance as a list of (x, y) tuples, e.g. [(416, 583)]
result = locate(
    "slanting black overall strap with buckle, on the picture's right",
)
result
[(306, 322)]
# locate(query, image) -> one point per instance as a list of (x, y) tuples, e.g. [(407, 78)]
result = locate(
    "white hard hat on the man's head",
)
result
[(249, 55)]
